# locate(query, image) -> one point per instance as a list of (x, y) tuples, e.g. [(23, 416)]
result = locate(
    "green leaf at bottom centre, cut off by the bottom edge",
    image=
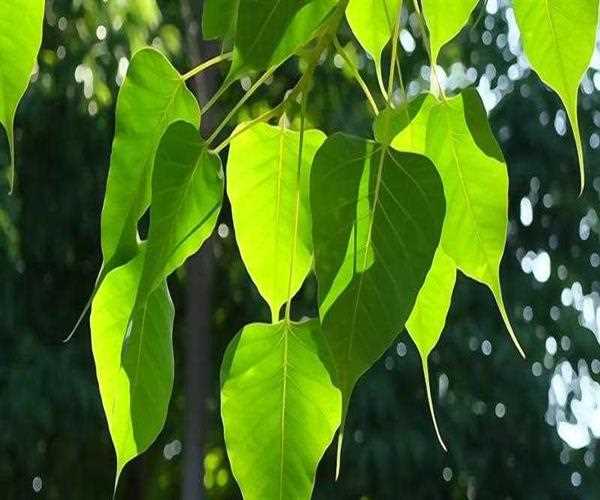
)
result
[(279, 407)]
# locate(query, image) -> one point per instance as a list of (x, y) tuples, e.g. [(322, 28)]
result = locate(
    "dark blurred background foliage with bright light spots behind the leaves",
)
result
[(515, 429)]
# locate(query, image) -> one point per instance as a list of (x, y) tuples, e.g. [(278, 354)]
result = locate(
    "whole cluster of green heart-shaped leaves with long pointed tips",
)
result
[(384, 223)]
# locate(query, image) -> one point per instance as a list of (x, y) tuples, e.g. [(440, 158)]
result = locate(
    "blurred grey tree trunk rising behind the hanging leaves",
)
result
[(200, 274)]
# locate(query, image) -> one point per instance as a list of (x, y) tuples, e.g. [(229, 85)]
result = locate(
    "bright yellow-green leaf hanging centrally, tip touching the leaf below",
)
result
[(263, 188)]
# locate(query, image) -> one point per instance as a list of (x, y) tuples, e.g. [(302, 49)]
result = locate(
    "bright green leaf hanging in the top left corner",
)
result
[(20, 40)]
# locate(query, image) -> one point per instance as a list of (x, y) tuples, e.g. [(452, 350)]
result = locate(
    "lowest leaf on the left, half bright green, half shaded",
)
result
[(134, 366)]
